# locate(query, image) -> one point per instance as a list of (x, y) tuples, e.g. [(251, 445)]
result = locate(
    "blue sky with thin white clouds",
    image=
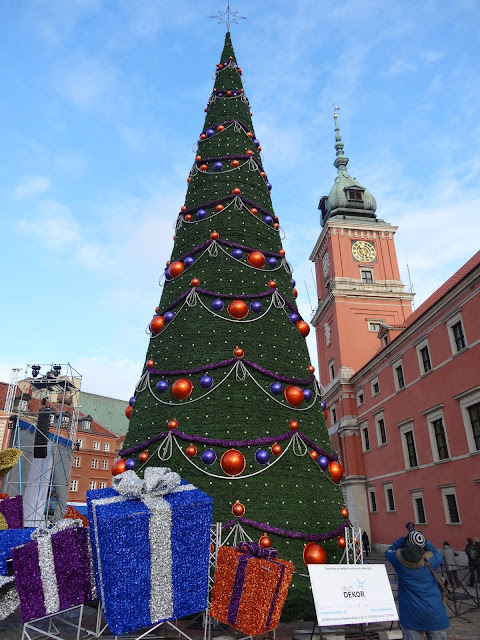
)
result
[(101, 105)]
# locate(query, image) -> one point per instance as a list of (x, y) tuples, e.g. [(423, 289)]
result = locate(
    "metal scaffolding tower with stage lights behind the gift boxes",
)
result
[(44, 415)]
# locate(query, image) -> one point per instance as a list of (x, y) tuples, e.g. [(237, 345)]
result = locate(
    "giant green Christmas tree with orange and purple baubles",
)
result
[(228, 397)]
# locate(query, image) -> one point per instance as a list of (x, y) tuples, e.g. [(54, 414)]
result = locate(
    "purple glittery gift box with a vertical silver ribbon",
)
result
[(52, 572)]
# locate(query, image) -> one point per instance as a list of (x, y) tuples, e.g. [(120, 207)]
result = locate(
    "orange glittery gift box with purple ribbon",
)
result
[(249, 593)]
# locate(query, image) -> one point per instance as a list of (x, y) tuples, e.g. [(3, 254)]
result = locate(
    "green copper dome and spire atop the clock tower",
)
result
[(347, 197)]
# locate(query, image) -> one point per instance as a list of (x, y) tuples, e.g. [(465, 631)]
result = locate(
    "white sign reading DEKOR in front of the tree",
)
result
[(351, 594)]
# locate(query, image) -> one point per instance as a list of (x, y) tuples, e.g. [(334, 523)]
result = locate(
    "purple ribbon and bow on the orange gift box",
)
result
[(251, 550)]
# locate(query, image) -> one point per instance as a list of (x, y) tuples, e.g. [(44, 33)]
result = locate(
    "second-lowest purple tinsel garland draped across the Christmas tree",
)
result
[(265, 440)]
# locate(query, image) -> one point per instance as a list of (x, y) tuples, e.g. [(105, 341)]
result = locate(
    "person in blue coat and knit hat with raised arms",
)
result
[(420, 607)]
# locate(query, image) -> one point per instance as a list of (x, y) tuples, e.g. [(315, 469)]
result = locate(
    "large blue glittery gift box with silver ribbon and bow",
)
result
[(150, 544)]
